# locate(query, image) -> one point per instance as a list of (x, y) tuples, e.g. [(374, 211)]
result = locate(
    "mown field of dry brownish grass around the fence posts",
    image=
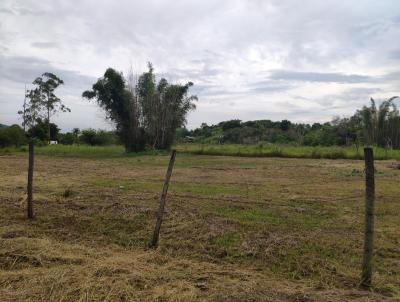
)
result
[(236, 229)]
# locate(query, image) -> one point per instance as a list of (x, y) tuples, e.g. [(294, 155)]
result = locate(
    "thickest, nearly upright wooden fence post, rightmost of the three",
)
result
[(366, 276)]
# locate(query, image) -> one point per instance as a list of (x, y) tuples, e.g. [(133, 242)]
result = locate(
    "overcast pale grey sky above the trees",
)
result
[(306, 60)]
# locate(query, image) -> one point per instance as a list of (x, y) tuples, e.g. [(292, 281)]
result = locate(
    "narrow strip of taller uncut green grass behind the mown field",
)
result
[(262, 150)]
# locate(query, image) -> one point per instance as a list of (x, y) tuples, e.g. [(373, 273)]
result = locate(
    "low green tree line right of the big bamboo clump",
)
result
[(368, 126)]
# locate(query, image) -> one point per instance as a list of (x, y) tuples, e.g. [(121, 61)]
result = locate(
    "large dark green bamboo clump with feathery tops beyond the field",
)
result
[(145, 112)]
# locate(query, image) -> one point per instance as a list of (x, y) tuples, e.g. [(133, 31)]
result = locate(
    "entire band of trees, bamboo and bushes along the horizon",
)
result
[(151, 113)]
